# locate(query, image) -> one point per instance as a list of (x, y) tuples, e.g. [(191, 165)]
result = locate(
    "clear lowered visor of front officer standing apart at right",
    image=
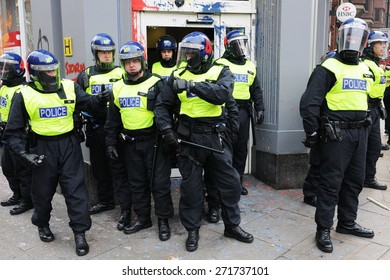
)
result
[(353, 39)]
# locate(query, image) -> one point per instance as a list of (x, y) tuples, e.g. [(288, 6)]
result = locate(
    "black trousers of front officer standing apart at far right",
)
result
[(342, 169)]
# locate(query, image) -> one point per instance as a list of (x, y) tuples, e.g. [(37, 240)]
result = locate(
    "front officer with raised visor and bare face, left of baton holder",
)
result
[(131, 119)]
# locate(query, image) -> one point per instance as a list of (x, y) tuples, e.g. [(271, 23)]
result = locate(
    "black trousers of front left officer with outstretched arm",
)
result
[(63, 165)]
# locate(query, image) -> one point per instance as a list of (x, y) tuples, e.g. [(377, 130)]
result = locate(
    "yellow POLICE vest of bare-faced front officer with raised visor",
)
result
[(132, 103)]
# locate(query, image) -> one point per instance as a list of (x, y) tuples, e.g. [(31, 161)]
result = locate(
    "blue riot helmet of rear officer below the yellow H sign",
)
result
[(102, 42)]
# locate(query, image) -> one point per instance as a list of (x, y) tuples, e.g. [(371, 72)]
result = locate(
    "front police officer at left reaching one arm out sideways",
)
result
[(54, 151)]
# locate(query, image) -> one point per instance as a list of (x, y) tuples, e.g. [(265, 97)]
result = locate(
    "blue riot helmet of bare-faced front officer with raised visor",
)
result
[(129, 51)]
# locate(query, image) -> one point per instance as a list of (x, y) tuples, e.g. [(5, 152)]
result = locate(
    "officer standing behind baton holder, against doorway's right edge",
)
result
[(247, 92)]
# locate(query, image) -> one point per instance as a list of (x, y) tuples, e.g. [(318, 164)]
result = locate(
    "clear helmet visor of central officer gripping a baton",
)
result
[(189, 54)]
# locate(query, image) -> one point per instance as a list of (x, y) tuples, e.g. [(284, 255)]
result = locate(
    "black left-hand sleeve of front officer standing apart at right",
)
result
[(320, 83)]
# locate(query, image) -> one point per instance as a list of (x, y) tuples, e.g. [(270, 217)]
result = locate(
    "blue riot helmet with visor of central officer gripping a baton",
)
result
[(196, 51)]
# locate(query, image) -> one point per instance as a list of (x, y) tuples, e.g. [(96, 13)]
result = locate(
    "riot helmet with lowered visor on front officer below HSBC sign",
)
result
[(352, 37)]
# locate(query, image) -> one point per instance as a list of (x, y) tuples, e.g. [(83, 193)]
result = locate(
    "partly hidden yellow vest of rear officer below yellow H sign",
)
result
[(97, 81)]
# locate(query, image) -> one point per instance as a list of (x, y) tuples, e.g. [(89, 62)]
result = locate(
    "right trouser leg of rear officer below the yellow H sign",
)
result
[(120, 179)]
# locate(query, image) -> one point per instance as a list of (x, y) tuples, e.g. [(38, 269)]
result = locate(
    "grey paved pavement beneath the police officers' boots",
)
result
[(283, 227)]
